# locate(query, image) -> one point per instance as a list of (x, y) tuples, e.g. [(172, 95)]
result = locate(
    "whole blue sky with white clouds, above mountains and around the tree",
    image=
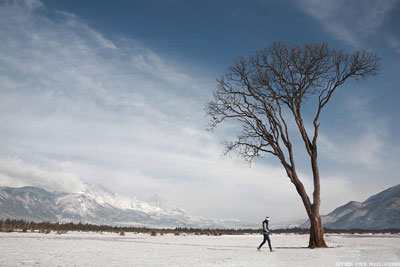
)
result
[(113, 92)]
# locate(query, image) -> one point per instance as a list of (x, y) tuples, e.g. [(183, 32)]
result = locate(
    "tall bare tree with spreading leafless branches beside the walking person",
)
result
[(265, 91)]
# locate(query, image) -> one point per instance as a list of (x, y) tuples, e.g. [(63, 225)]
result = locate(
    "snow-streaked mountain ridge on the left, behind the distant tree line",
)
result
[(98, 205)]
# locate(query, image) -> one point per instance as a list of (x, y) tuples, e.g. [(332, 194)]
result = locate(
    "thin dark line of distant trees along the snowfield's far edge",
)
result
[(19, 225)]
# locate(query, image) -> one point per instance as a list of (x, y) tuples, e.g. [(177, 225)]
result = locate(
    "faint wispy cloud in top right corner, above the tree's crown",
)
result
[(350, 21)]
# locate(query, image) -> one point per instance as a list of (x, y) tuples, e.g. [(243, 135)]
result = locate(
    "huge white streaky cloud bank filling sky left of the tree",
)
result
[(76, 107)]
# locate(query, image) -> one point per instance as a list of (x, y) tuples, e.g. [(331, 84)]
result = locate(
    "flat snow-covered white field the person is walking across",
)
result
[(110, 249)]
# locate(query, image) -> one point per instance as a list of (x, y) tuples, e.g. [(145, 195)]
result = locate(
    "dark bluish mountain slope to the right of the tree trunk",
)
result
[(377, 212)]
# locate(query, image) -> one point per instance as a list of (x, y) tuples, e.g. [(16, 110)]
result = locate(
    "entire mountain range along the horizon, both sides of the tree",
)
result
[(98, 205)]
